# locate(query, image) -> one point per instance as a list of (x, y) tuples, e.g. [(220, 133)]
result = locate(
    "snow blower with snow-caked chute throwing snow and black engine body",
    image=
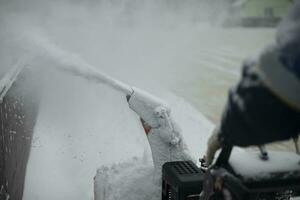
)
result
[(227, 178)]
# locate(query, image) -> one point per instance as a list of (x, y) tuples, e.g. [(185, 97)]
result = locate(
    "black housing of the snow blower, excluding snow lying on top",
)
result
[(183, 180)]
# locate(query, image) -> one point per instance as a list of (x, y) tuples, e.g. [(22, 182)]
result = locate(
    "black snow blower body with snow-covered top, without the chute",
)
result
[(235, 175)]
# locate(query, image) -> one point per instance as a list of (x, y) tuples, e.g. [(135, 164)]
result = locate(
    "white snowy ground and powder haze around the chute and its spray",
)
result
[(83, 125)]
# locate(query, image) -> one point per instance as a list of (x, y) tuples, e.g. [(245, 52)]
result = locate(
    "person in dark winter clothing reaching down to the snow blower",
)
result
[(264, 106)]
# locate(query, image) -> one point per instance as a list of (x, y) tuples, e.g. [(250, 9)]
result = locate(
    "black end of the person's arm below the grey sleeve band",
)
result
[(254, 115)]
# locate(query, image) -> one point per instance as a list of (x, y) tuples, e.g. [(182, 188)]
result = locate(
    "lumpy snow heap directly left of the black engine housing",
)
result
[(131, 180)]
